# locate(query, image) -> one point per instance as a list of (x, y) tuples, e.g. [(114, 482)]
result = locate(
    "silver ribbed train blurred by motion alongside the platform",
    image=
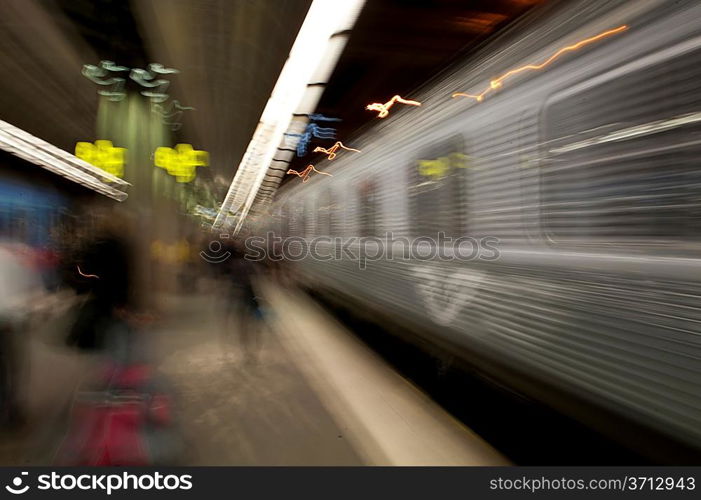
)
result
[(588, 172)]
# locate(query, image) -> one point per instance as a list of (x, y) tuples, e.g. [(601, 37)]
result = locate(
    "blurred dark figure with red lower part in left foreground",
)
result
[(122, 415)]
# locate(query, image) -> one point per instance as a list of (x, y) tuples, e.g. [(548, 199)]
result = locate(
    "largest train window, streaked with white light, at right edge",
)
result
[(622, 156)]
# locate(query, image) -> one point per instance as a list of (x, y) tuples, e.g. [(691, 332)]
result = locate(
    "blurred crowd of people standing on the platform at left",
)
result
[(121, 413)]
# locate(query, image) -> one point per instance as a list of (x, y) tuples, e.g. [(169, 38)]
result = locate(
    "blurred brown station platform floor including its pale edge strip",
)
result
[(301, 390)]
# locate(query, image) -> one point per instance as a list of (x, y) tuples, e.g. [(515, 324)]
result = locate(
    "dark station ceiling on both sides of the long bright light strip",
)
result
[(229, 54)]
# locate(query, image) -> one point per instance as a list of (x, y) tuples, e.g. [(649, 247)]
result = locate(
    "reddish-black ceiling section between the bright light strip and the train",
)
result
[(397, 45)]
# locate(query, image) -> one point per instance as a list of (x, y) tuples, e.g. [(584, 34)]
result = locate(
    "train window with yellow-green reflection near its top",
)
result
[(436, 194)]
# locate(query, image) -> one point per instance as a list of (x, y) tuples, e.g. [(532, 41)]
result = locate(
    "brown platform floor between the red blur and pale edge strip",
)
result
[(235, 410)]
